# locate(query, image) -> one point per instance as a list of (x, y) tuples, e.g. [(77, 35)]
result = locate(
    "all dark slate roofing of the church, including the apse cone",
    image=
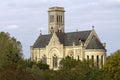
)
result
[(67, 39)]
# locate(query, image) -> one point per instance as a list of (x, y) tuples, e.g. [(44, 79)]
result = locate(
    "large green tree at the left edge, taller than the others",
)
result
[(12, 64)]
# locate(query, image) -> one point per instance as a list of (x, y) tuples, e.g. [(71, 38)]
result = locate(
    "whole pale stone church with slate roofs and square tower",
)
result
[(51, 48)]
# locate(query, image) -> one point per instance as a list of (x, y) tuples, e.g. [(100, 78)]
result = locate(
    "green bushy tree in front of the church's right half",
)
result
[(72, 69)]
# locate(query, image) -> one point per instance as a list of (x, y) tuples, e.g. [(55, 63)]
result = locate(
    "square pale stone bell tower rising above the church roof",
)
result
[(56, 20)]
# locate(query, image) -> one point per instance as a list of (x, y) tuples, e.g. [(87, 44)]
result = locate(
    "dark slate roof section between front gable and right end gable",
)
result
[(67, 39)]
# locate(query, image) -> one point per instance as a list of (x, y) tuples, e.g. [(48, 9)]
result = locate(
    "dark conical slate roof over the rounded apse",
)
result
[(95, 44)]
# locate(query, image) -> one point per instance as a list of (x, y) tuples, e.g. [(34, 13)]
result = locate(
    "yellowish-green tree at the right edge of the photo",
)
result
[(112, 66)]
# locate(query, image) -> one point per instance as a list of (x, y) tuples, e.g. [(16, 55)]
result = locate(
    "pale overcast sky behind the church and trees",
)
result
[(24, 19)]
